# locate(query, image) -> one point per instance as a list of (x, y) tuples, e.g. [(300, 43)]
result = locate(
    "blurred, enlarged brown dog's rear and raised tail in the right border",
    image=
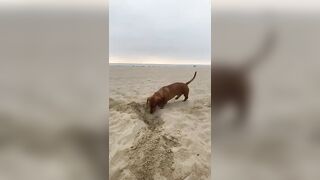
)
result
[(231, 84)]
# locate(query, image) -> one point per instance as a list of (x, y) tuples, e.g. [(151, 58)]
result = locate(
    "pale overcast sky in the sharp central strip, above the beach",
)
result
[(162, 31)]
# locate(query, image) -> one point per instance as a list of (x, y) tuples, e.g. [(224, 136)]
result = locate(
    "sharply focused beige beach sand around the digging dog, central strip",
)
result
[(174, 142)]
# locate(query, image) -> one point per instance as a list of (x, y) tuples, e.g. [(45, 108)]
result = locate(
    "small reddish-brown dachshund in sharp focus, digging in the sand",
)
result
[(164, 94)]
